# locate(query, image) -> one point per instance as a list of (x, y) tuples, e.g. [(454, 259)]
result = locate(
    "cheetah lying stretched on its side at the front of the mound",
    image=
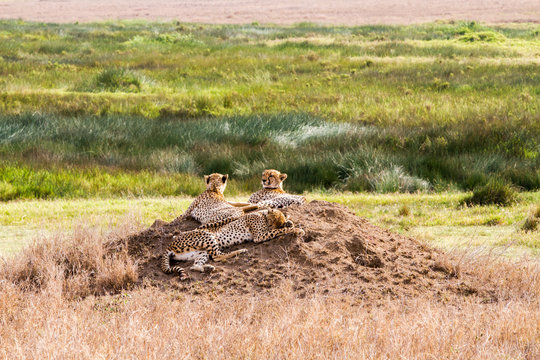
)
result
[(200, 244)]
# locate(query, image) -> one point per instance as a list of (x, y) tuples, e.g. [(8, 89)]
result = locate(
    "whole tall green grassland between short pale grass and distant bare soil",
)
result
[(134, 107)]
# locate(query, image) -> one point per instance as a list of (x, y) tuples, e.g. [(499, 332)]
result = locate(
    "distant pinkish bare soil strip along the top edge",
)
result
[(346, 12)]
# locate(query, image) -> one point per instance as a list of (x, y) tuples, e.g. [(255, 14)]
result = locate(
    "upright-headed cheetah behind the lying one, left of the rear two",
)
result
[(210, 206)]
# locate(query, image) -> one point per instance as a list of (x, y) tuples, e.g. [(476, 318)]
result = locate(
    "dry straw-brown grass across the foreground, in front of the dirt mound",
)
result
[(42, 314)]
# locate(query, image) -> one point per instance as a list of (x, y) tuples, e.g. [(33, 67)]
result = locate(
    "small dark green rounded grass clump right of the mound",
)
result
[(495, 192)]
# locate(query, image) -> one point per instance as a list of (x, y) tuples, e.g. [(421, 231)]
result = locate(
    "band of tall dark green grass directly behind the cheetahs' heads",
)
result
[(56, 156)]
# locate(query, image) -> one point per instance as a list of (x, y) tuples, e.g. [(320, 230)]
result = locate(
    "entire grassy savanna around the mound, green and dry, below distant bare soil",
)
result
[(105, 127)]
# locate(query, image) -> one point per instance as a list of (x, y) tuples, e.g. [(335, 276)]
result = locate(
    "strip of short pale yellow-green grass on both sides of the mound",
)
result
[(438, 219)]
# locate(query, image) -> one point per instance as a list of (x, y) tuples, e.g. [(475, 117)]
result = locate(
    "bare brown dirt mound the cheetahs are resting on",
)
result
[(340, 253)]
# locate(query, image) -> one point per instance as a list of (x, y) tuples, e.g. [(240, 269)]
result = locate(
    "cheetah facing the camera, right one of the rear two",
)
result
[(272, 193)]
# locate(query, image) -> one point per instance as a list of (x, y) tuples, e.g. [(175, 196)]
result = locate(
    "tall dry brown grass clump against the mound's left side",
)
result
[(85, 262)]
